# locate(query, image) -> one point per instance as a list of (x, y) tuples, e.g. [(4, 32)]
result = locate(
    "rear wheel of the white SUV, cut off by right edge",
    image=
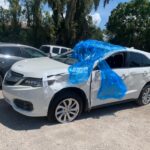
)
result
[(144, 98)]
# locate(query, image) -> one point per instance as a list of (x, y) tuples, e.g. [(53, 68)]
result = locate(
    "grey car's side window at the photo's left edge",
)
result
[(12, 51)]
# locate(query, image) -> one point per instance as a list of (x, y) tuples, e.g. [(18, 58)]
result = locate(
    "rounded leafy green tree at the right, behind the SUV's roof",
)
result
[(129, 24)]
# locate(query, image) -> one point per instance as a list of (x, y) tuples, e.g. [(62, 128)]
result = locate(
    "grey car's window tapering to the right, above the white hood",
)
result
[(32, 53)]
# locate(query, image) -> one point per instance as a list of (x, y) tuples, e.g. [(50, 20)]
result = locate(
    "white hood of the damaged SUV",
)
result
[(39, 67)]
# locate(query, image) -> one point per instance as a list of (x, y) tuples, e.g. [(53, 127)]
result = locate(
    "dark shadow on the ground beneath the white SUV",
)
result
[(16, 121)]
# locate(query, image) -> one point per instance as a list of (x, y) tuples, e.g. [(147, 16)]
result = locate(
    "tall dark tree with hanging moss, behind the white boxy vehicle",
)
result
[(71, 19)]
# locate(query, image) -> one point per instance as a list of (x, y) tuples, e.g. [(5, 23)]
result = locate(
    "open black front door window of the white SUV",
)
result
[(116, 60)]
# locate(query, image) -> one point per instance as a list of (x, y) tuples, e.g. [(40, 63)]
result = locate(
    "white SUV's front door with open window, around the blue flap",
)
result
[(117, 62)]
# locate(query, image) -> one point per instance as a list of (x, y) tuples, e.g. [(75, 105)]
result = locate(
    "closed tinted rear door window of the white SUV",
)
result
[(137, 60)]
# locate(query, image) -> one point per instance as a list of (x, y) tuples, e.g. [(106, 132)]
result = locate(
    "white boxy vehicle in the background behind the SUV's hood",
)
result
[(53, 50)]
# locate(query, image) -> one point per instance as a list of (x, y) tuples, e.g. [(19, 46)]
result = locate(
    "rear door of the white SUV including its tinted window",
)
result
[(139, 72)]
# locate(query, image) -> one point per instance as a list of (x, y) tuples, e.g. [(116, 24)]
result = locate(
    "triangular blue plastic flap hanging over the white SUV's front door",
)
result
[(112, 86)]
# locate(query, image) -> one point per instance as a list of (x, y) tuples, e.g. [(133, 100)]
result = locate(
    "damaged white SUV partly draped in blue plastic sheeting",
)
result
[(40, 87)]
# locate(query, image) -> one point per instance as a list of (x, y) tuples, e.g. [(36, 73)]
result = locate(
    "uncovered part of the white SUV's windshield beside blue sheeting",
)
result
[(66, 58)]
